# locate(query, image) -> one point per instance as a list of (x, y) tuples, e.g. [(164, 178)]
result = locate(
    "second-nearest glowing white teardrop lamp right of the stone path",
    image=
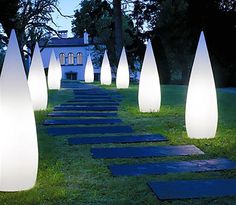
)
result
[(149, 94)]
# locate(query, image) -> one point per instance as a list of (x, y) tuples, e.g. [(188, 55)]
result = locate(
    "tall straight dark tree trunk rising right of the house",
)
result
[(118, 28)]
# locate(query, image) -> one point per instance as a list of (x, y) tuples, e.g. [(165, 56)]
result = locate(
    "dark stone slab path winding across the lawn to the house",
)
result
[(96, 108)]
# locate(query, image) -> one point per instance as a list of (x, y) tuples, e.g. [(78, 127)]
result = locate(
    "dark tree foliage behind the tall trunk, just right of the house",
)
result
[(97, 17)]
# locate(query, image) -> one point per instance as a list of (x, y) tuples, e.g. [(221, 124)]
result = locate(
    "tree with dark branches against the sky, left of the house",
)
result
[(29, 18)]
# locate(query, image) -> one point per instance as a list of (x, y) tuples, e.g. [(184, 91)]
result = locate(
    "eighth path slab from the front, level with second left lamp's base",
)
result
[(88, 108)]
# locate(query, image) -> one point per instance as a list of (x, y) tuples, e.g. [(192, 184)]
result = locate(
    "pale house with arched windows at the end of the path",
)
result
[(73, 53)]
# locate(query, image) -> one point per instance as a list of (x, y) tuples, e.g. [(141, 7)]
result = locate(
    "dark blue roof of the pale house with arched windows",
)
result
[(66, 42)]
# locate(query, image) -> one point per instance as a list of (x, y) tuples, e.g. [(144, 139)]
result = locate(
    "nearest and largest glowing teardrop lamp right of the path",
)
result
[(201, 115)]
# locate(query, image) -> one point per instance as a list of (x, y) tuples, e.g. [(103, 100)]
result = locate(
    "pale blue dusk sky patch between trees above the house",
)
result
[(67, 7)]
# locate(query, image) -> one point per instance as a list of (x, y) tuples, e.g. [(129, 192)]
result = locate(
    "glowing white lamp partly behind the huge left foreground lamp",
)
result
[(37, 81)]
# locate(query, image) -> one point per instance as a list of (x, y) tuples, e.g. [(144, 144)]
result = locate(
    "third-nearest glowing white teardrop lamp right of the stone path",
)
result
[(122, 75)]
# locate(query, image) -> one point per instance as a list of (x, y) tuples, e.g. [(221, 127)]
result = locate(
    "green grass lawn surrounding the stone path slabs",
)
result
[(69, 175)]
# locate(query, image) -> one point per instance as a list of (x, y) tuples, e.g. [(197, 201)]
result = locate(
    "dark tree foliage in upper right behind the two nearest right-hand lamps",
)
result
[(176, 24)]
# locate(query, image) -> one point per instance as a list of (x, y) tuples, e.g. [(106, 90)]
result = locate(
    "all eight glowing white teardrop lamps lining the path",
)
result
[(19, 99)]
